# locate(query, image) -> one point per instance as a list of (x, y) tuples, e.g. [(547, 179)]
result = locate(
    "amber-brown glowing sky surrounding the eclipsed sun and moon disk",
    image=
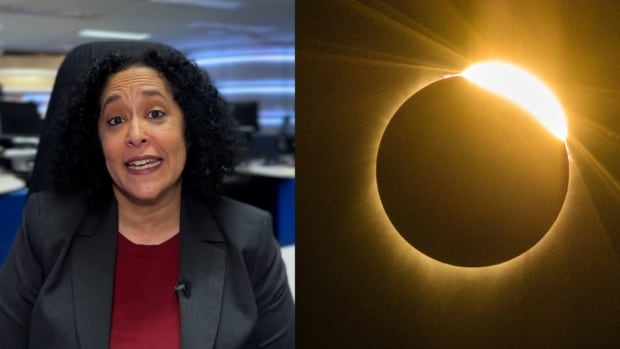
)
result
[(361, 284)]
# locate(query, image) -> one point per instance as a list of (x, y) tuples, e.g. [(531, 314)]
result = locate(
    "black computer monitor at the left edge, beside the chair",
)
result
[(19, 119)]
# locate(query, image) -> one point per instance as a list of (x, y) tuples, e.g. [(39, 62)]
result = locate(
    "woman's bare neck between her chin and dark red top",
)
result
[(149, 223)]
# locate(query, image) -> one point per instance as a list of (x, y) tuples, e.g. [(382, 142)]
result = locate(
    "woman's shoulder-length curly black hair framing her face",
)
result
[(78, 163)]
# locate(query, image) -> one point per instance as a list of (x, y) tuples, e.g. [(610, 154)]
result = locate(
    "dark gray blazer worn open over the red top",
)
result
[(56, 285)]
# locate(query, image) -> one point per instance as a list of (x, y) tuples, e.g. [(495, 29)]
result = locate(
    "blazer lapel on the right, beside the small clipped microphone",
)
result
[(202, 266)]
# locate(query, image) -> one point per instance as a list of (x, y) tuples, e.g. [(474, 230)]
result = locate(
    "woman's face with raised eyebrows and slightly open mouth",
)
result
[(141, 129)]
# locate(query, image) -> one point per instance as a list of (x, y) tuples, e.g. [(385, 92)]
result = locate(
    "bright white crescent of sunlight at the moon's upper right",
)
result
[(523, 89)]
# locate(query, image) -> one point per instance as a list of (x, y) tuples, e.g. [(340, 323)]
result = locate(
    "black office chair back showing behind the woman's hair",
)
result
[(75, 63)]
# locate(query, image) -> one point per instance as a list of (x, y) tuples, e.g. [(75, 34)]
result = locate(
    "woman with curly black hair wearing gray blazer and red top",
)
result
[(134, 247)]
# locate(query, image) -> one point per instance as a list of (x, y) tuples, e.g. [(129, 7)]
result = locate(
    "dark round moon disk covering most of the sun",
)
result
[(469, 178)]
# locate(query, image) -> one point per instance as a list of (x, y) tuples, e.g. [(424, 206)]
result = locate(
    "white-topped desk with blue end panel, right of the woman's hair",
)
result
[(259, 191)]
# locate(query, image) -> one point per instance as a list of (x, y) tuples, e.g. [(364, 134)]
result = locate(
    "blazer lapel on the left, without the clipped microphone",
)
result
[(93, 262)]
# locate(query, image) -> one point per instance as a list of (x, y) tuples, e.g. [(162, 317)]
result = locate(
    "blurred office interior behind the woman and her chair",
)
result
[(247, 48)]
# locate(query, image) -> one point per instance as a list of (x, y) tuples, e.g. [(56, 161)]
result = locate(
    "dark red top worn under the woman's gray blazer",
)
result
[(145, 310)]
